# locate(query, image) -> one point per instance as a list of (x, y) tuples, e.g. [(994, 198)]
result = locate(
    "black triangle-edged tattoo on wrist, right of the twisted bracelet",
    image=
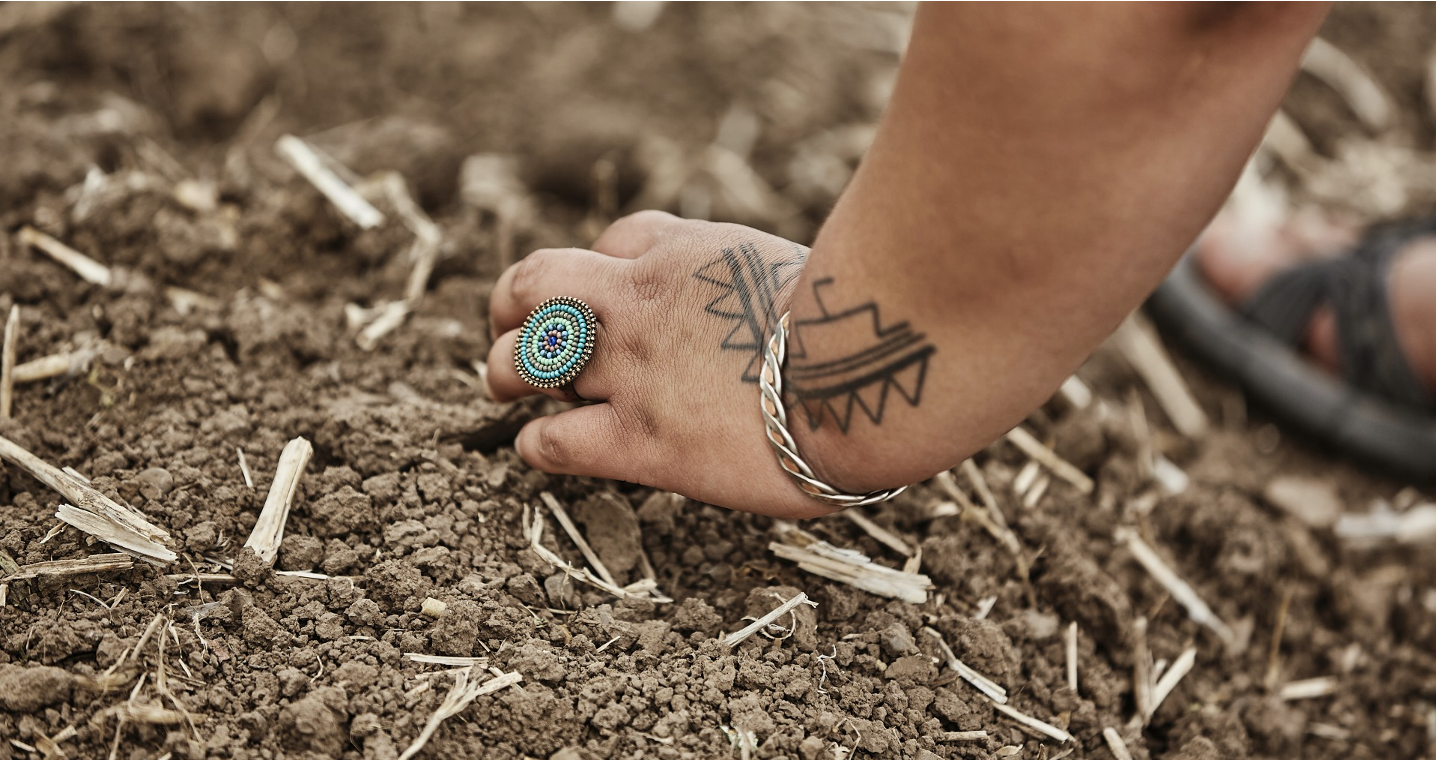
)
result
[(894, 358)]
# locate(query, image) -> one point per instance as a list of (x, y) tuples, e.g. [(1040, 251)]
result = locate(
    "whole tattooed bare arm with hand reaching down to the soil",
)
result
[(1040, 169)]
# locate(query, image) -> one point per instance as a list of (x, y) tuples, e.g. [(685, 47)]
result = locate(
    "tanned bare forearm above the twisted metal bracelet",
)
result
[(1039, 172)]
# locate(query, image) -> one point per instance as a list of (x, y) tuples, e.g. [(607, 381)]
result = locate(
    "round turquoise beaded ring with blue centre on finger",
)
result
[(555, 343)]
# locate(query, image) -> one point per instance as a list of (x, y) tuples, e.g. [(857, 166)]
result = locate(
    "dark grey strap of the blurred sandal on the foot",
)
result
[(1358, 288)]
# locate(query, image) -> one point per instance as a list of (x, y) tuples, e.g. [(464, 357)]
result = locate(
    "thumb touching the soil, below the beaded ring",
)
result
[(591, 442)]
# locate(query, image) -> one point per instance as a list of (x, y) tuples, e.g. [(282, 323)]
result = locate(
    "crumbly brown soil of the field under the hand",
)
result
[(416, 491)]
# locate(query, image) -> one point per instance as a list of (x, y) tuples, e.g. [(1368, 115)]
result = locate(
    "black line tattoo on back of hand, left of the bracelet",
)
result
[(747, 287)]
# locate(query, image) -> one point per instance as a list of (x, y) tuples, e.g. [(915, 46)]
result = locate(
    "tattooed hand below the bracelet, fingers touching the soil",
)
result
[(684, 310)]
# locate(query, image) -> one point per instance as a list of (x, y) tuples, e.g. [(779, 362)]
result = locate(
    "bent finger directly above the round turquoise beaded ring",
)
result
[(546, 274)]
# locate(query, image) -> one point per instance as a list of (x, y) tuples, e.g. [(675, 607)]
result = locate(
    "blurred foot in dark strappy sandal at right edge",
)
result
[(1329, 325)]
